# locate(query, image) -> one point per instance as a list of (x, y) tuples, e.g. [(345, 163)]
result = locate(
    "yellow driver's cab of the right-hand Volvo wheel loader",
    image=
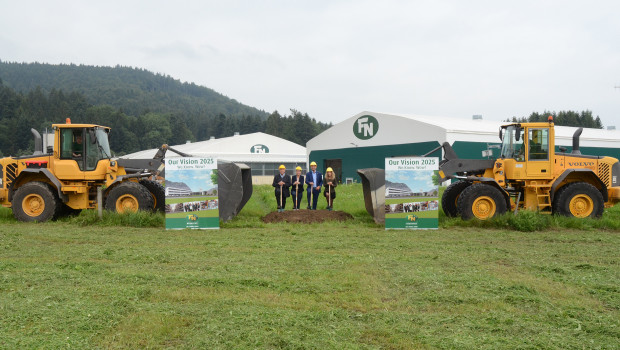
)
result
[(528, 150)]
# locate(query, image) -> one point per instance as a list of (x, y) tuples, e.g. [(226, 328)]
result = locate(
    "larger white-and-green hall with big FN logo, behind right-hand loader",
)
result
[(367, 138)]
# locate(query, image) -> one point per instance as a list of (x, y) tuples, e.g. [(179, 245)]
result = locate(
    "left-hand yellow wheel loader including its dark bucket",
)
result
[(66, 177)]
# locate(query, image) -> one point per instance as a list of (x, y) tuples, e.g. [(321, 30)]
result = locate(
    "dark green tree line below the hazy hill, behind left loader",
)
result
[(131, 133)]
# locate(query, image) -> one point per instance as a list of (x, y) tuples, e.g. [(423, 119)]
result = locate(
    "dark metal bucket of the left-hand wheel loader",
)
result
[(234, 182)]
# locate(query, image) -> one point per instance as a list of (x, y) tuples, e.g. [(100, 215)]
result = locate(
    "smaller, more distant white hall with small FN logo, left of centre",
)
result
[(264, 153)]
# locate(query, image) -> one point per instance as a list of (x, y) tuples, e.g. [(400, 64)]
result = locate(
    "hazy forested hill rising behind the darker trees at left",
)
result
[(131, 90)]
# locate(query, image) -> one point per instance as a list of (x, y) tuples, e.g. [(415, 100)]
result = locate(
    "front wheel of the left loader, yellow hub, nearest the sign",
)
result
[(129, 197)]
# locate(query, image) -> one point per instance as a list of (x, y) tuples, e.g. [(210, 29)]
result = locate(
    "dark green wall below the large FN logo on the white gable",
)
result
[(369, 157)]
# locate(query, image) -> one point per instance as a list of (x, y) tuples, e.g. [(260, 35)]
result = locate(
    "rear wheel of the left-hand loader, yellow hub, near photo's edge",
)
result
[(36, 201)]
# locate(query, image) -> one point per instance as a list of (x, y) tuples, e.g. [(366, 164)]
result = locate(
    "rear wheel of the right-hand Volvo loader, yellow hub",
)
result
[(580, 200)]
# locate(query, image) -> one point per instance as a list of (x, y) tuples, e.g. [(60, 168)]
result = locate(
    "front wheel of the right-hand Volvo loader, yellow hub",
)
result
[(481, 201)]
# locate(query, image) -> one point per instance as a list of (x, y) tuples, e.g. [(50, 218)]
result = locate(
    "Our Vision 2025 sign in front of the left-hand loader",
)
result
[(191, 193)]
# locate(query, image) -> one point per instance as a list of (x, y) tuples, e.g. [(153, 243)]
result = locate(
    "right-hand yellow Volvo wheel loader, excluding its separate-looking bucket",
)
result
[(530, 175)]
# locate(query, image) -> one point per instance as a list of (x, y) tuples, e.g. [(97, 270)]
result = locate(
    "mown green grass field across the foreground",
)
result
[(88, 283)]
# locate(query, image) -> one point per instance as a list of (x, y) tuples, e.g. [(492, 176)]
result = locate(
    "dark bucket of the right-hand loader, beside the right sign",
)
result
[(373, 184)]
